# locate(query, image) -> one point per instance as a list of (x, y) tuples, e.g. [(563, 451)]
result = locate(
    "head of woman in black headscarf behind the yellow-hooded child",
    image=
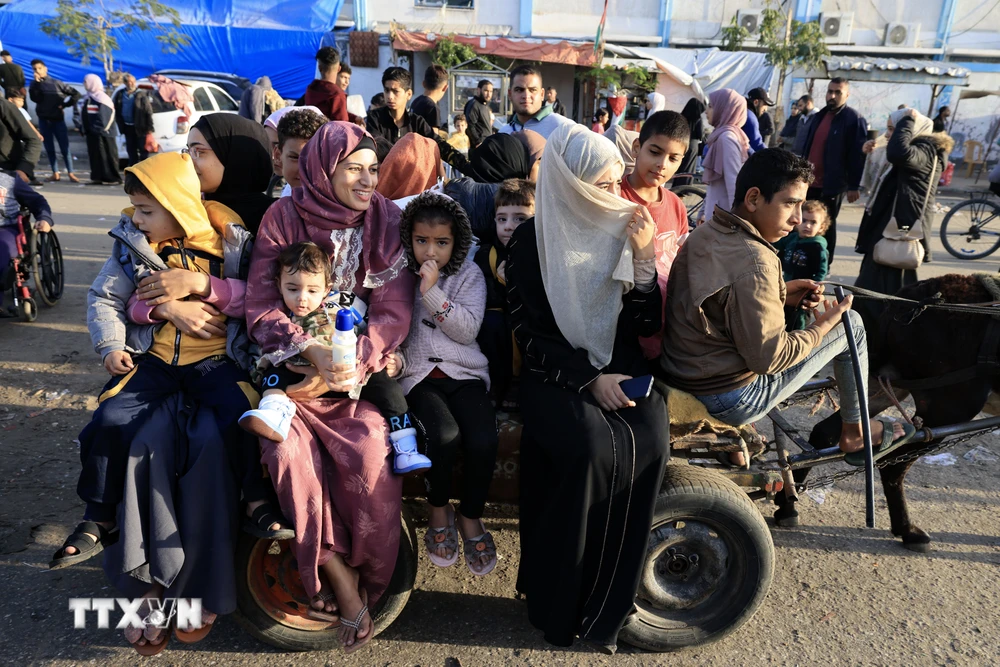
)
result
[(233, 162)]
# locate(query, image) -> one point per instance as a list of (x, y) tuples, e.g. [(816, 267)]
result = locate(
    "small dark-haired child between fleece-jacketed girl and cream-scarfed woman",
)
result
[(515, 203)]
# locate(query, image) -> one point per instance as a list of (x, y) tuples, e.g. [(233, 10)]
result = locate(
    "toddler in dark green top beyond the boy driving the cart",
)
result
[(803, 254)]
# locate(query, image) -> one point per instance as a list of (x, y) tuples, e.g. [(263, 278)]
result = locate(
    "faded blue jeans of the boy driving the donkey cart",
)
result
[(752, 402)]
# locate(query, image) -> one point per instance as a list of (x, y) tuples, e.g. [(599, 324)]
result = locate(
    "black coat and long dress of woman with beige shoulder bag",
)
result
[(903, 193)]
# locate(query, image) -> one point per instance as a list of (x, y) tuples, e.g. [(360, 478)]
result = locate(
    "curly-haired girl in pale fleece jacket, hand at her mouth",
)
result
[(446, 377)]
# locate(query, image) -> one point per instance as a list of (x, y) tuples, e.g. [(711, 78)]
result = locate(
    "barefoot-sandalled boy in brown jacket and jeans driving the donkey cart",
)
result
[(726, 342)]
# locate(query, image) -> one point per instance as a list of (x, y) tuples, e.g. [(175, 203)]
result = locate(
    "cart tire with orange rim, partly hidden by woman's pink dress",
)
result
[(259, 624)]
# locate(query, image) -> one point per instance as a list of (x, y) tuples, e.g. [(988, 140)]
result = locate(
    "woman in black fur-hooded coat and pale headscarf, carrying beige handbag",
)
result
[(904, 189)]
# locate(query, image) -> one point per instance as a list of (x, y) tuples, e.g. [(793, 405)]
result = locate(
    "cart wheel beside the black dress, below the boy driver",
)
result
[(709, 564)]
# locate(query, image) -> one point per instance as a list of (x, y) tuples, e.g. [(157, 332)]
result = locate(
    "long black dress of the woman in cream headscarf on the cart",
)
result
[(589, 478)]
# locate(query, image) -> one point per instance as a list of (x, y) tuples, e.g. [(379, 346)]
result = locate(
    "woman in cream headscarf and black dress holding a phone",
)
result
[(582, 289)]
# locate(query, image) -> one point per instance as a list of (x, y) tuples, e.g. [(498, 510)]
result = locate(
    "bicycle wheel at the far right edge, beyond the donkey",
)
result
[(971, 230)]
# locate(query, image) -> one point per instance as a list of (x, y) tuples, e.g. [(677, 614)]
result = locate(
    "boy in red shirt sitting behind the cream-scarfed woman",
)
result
[(659, 151)]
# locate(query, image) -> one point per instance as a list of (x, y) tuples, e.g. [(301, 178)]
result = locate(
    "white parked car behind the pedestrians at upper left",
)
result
[(171, 125)]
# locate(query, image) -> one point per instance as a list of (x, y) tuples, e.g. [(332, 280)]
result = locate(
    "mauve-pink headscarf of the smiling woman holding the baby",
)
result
[(318, 206)]
